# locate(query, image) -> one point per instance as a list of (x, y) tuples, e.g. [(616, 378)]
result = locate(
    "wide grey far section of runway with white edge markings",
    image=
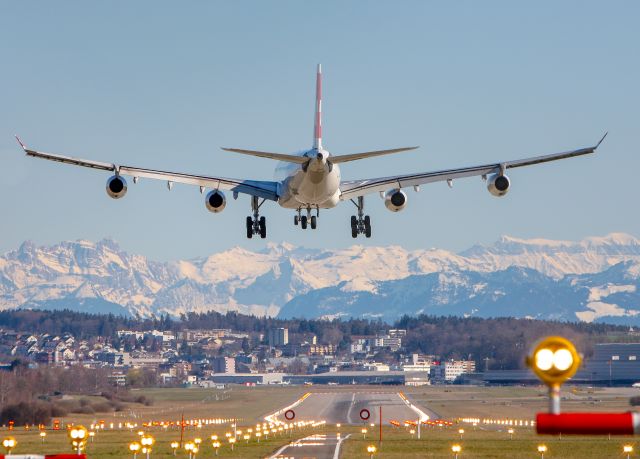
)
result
[(345, 407)]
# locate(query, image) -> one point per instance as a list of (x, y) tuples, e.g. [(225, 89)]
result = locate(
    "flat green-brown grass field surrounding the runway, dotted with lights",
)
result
[(250, 404)]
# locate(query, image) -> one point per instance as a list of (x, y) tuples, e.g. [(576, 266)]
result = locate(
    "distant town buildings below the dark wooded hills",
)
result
[(216, 357)]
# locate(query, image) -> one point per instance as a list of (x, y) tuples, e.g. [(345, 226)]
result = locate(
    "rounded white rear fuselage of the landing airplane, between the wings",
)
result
[(315, 184)]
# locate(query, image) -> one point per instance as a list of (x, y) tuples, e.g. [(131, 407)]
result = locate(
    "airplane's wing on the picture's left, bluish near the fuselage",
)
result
[(262, 189)]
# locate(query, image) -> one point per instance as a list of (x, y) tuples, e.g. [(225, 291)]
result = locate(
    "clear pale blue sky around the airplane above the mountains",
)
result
[(164, 84)]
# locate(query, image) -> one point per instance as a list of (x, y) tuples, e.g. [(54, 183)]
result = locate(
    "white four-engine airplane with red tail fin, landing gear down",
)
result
[(312, 180)]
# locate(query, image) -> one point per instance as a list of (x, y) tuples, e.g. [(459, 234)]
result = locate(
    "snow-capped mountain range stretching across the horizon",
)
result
[(593, 279)]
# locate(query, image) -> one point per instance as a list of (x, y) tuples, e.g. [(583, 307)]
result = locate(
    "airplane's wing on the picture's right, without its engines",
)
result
[(355, 188)]
